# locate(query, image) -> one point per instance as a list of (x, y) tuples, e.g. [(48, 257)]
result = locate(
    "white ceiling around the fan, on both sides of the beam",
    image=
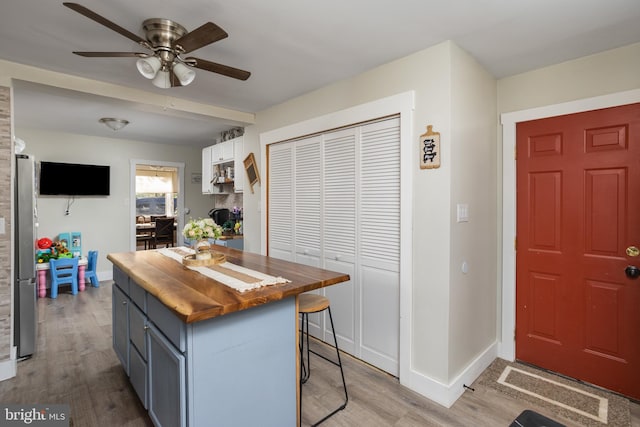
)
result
[(291, 47)]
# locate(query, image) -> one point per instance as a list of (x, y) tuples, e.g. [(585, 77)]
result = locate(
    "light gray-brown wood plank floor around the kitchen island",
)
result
[(75, 364)]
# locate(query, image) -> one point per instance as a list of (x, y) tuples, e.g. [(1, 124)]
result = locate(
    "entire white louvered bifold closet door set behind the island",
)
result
[(334, 202)]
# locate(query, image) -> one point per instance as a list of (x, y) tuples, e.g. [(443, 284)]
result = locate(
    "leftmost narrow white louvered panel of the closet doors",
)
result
[(281, 199)]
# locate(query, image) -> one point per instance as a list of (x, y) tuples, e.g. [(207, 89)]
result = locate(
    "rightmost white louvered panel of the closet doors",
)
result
[(379, 244)]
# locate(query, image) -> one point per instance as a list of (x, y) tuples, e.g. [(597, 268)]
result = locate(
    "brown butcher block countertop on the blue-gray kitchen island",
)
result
[(194, 297)]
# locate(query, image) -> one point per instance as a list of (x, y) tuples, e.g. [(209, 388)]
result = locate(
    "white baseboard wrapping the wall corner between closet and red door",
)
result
[(447, 394)]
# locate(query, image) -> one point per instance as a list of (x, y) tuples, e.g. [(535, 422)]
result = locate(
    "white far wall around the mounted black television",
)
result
[(105, 221)]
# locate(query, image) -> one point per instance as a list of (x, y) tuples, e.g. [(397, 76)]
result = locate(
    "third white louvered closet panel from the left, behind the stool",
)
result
[(339, 233)]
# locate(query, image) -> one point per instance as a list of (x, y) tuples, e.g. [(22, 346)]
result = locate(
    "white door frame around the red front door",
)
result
[(507, 344)]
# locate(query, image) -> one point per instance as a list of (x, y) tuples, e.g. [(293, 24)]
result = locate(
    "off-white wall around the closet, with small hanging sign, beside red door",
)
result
[(432, 74)]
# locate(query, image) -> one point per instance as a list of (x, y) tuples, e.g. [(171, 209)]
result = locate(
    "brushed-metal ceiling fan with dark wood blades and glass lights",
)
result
[(168, 41)]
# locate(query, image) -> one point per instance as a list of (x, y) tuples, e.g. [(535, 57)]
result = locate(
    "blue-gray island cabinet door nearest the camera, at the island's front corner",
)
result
[(167, 387)]
